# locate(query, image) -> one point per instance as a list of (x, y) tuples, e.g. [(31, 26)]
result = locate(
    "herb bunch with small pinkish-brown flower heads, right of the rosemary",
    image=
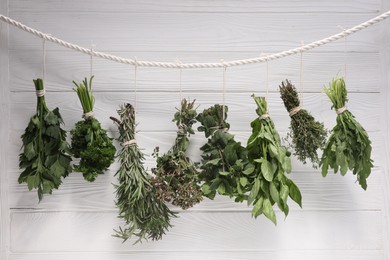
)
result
[(176, 176)]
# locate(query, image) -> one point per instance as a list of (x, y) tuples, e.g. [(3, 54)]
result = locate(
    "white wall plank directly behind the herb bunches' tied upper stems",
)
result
[(156, 109)]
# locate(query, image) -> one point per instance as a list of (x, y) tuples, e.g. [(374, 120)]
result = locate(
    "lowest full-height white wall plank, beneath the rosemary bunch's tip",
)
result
[(91, 231)]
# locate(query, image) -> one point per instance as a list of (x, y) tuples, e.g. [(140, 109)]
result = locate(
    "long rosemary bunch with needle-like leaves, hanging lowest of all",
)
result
[(146, 216)]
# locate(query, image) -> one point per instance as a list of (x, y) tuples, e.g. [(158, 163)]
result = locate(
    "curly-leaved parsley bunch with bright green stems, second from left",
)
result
[(89, 141)]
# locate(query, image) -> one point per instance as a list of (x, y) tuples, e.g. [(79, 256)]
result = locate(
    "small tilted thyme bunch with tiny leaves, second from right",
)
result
[(308, 135)]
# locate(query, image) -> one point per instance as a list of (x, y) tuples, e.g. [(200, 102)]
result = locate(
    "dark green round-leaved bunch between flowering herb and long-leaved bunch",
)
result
[(224, 161)]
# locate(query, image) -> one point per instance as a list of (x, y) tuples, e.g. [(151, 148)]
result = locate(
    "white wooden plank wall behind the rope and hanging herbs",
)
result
[(338, 220)]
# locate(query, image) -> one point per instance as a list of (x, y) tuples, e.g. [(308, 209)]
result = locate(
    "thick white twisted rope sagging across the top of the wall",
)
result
[(197, 65)]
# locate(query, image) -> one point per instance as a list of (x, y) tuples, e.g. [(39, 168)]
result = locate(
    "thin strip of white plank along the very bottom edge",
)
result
[(211, 255)]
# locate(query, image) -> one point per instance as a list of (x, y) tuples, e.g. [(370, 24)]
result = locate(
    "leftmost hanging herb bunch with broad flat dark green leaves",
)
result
[(45, 157)]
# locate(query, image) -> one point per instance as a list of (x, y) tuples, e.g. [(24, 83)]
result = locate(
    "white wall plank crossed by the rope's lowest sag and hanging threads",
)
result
[(318, 69)]
